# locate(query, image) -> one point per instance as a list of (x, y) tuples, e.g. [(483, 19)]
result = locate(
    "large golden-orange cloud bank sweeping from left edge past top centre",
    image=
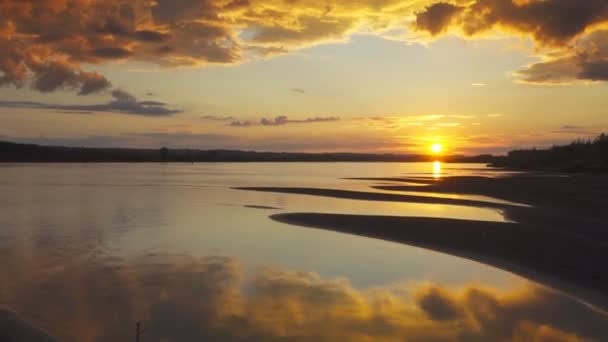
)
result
[(43, 43)]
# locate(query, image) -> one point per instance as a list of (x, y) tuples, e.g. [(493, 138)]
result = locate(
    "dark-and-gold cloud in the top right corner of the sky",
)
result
[(570, 29)]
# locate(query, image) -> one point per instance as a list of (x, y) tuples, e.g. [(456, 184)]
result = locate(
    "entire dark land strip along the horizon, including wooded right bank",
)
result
[(589, 156)]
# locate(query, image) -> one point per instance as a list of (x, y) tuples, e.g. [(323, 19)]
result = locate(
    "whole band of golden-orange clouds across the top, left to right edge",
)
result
[(44, 43)]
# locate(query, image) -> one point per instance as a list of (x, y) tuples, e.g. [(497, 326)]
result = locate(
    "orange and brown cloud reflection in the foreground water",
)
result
[(180, 298)]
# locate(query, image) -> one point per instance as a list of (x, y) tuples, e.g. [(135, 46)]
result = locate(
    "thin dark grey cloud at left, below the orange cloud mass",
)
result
[(122, 102)]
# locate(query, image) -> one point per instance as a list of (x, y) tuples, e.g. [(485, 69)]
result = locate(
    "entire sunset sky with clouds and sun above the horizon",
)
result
[(388, 76)]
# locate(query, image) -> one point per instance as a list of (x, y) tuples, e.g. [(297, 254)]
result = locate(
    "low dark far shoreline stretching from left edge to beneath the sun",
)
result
[(16, 152)]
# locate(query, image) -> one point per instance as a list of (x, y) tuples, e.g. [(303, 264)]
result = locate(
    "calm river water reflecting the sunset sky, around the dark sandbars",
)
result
[(88, 250)]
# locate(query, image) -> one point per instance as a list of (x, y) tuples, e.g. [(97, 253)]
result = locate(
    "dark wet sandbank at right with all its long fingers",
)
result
[(561, 240)]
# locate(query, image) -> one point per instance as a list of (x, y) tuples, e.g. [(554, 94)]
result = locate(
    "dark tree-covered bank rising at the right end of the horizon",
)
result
[(578, 156)]
